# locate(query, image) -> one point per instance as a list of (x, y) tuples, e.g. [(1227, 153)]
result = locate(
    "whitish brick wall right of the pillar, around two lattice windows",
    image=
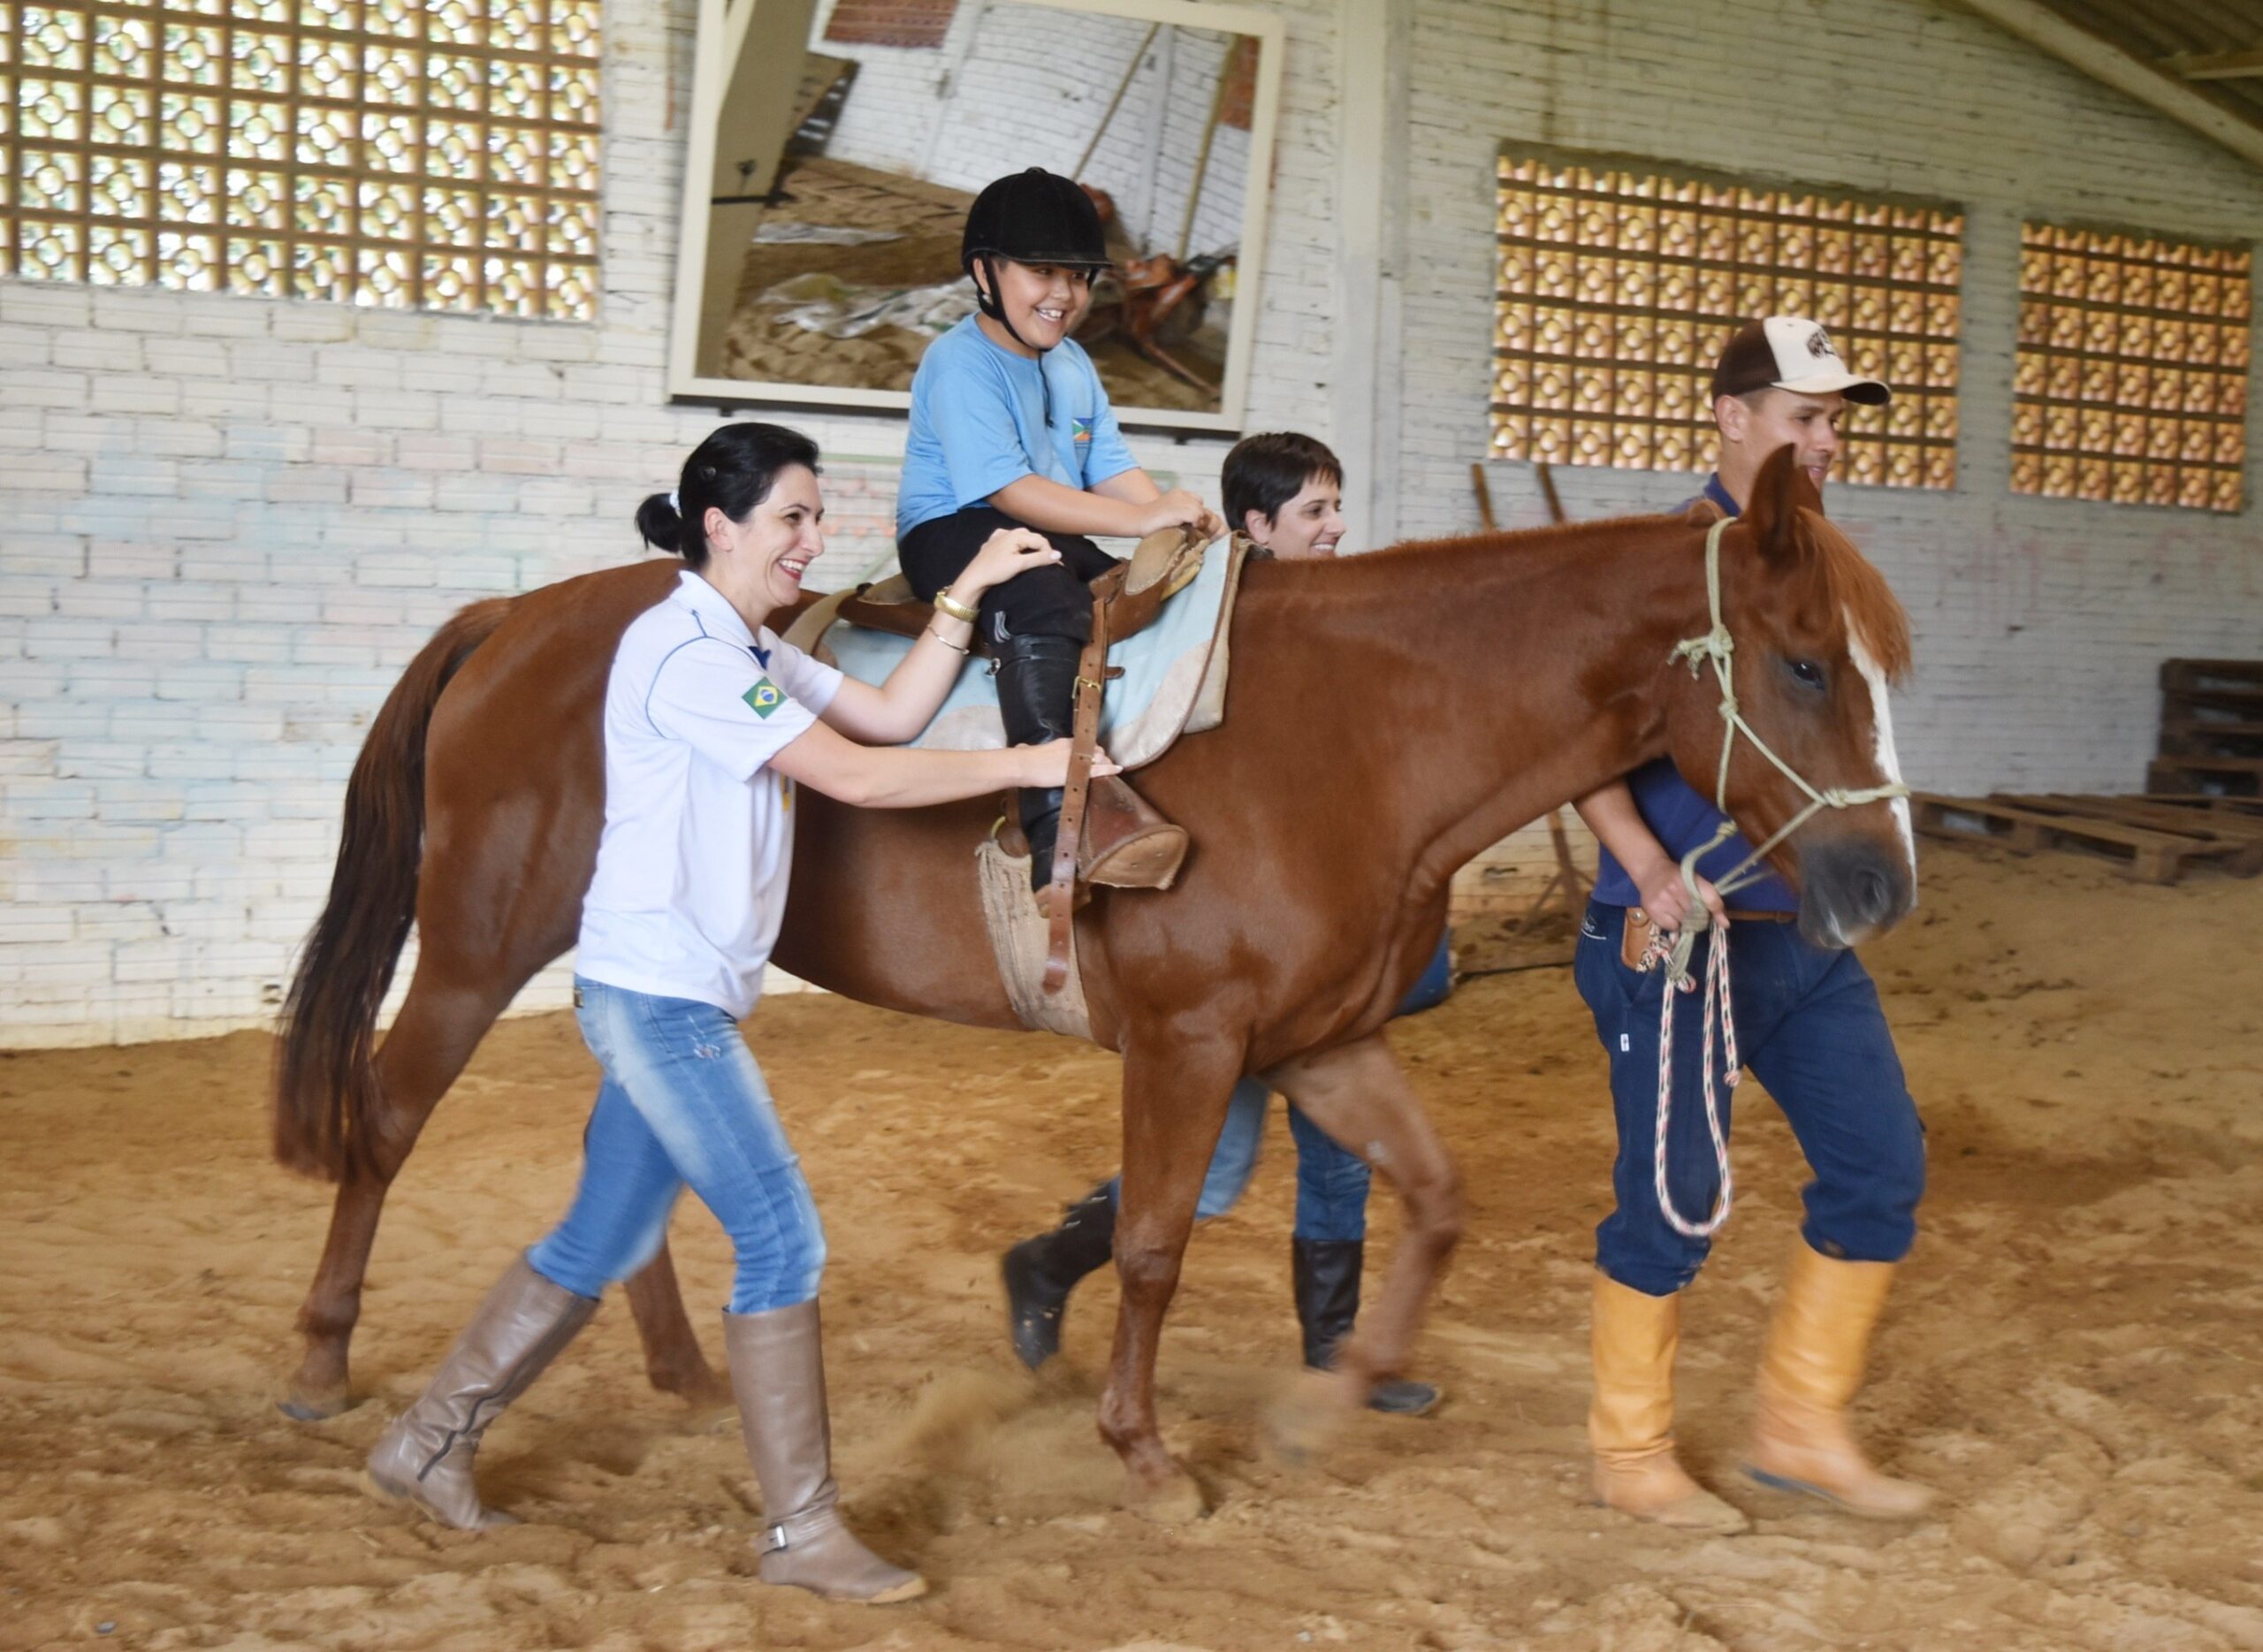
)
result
[(2040, 623)]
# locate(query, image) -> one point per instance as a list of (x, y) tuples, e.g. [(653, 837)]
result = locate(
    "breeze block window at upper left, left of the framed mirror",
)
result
[(436, 155)]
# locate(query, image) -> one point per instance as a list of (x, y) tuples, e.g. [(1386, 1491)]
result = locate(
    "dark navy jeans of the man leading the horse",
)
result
[(1812, 1031)]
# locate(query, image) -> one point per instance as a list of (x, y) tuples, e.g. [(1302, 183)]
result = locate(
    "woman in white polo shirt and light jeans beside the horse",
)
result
[(709, 725)]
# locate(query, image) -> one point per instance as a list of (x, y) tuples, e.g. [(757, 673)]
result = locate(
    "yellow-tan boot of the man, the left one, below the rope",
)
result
[(1630, 1422)]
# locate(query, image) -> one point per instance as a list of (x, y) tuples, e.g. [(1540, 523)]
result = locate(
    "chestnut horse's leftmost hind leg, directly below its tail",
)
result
[(429, 1047)]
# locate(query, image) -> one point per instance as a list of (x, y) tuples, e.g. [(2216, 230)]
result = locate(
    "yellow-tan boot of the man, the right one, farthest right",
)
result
[(1812, 1368)]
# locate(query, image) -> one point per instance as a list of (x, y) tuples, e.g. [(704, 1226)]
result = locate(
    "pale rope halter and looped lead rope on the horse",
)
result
[(1719, 648)]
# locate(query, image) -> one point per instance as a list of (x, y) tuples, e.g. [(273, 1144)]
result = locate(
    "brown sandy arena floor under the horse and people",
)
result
[(2072, 1357)]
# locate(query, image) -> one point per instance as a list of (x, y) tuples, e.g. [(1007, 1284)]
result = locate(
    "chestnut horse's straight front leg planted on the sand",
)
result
[(1176, 1103)]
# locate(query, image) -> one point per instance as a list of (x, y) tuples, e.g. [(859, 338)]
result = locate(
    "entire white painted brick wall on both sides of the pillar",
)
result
[(227, 524)]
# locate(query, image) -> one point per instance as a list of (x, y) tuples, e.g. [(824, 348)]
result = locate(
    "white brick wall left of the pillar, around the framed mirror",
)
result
[(227, 524)]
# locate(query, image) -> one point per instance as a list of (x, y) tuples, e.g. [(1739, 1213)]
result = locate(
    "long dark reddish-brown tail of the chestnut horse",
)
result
[(325, 1085)]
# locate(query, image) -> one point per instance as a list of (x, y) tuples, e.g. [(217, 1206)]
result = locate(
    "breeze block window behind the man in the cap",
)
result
[(1621, 282)]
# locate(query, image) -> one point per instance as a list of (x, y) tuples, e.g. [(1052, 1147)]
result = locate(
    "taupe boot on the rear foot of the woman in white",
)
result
[(427, 1456)]
